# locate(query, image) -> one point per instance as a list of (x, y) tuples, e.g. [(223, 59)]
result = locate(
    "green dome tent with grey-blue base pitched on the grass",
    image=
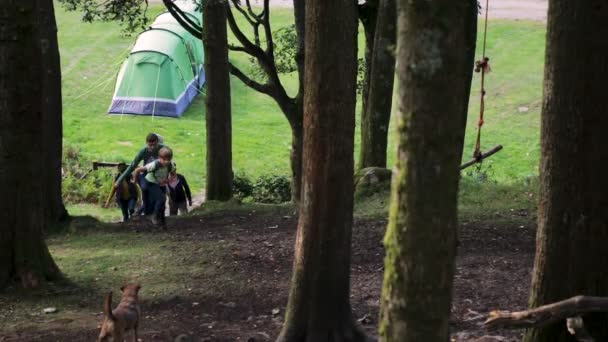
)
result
[(164, 71)]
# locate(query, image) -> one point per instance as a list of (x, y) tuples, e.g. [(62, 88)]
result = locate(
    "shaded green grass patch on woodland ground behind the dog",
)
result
[(95, 261)]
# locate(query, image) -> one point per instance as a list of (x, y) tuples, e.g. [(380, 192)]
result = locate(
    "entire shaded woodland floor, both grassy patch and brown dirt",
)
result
[(224, 276)]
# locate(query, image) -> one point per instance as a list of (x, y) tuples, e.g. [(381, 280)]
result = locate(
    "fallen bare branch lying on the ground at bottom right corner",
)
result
[(546, 314)]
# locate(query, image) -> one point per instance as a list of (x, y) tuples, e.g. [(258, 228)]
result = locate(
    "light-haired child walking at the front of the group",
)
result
[(156, 180)]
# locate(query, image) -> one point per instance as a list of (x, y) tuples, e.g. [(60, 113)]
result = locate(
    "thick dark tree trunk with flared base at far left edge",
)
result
[(23, 252)]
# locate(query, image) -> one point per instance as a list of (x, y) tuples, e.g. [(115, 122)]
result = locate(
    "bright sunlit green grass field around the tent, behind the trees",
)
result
[(92, 53)]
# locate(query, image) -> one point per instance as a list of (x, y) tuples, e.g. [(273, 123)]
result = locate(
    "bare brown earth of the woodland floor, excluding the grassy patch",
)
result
[(493, 271)]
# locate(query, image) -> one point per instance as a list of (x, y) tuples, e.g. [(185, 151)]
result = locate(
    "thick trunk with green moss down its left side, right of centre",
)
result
[(433, 44)]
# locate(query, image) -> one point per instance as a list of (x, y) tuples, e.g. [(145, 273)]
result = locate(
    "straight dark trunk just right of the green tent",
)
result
[(218, 116)]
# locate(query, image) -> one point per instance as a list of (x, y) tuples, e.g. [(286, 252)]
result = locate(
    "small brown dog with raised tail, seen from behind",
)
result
[(122, 319)]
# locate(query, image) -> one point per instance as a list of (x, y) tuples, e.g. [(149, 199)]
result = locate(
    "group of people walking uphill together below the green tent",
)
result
[(154, 180)]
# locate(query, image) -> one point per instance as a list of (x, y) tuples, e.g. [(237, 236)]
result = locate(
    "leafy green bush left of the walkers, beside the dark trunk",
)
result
[(78, 184)]
